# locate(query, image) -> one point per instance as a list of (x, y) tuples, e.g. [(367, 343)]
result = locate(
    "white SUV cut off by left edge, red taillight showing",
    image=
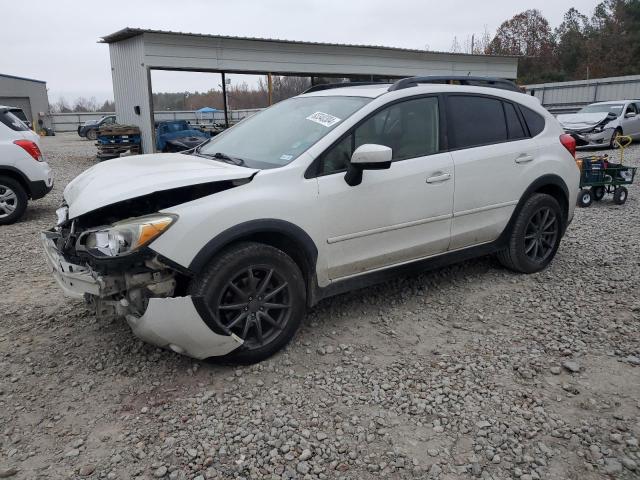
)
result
[(24, 174)]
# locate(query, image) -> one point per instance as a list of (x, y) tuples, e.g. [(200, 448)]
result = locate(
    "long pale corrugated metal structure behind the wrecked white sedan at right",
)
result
[(567, 97)]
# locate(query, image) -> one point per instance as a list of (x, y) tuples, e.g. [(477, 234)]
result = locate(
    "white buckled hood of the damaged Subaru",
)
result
[(124, 178)]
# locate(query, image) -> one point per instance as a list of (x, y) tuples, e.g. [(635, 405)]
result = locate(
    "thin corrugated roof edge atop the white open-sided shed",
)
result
[(129, 32)]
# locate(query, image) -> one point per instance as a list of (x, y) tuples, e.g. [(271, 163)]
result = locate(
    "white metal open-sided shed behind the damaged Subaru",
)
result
[(135, 52)]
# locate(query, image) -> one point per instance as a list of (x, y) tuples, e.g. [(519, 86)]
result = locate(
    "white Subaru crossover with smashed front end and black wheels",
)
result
[(220, 250)]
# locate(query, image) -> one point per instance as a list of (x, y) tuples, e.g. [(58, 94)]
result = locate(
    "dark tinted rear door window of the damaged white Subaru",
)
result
[(474, 120)]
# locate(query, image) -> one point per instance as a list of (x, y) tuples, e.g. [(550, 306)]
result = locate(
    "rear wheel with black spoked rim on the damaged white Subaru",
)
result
[(535, 236)]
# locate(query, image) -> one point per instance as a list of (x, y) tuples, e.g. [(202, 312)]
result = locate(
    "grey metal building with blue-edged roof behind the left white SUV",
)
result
[(25, 93)]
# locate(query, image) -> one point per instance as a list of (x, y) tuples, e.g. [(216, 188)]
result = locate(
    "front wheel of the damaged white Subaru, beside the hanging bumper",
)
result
[(256, 292)]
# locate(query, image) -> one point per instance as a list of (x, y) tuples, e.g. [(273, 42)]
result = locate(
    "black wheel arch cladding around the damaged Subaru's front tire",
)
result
[(280, 234)]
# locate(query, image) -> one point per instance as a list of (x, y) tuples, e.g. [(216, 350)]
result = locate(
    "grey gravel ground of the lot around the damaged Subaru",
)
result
[(470, 371)]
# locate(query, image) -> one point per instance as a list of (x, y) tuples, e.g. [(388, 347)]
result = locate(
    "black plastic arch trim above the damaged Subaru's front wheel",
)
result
[(254, 227)]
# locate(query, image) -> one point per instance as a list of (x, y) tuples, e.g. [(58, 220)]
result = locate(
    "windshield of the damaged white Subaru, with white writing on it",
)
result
[(278, 135)]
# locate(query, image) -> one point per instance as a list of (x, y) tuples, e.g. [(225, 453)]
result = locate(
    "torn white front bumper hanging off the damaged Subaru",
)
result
[(162, 320)]
